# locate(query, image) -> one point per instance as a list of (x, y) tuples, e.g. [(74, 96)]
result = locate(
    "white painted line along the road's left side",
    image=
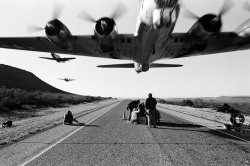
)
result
[(45, 150)]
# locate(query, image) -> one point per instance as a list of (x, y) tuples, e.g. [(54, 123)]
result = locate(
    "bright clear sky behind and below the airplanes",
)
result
[(224, 74)]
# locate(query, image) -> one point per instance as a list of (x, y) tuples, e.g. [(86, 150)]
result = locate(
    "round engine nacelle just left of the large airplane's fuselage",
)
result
[(106, 33)]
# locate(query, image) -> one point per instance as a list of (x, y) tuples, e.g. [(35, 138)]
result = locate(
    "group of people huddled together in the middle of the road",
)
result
[(136, 108)]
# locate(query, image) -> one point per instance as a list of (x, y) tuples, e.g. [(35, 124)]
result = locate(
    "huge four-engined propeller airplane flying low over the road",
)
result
[(153, 39)]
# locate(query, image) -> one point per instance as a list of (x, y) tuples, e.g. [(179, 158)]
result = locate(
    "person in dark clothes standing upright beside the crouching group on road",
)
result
[(150, 105)]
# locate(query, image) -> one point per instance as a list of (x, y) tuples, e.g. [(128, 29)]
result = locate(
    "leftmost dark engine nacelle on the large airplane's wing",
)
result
[(59, 34)]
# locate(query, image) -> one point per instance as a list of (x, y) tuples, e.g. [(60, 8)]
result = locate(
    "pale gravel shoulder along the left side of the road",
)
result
[(44, 119)]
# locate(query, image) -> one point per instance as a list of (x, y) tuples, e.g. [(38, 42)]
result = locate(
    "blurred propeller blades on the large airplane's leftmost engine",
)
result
[(58, 8)]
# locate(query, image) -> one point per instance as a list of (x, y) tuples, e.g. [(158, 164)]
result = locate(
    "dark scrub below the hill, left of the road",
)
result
[(17, 99)]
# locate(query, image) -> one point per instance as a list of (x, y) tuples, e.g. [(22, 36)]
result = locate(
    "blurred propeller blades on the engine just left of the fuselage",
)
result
[(120, 10)]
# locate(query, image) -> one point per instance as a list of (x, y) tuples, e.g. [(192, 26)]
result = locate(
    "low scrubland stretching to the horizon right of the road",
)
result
[(238, 103)]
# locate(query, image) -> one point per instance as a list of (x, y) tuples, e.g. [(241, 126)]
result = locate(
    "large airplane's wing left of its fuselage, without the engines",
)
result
[(82, 45)]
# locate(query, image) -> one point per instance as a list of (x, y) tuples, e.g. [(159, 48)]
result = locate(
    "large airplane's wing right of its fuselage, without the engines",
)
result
[(180, 45)]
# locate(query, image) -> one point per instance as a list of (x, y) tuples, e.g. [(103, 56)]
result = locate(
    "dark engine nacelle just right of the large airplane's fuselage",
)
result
[(206, 28)]
